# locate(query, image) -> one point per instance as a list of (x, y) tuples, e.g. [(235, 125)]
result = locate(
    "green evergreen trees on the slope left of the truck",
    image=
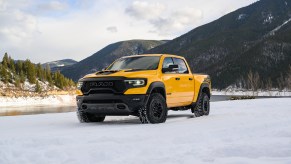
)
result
[(17, 72)]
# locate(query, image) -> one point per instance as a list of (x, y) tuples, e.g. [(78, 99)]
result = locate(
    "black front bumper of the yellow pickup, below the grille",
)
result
[(111, 104)]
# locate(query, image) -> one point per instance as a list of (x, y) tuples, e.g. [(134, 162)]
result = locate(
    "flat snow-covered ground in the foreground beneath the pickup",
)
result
[(247, 131)]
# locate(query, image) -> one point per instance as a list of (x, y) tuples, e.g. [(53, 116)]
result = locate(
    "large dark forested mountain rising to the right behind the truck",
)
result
[(256, 37)]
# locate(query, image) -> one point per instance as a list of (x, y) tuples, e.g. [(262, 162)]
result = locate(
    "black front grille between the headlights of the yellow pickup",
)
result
[(103, 86)]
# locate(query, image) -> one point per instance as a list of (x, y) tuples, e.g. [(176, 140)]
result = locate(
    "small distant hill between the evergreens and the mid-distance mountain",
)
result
[(58, 64)]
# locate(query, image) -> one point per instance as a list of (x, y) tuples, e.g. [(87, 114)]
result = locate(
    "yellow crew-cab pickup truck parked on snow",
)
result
[(146, 86)]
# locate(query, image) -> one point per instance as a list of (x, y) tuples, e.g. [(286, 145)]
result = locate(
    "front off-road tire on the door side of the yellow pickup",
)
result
[(155, 111)]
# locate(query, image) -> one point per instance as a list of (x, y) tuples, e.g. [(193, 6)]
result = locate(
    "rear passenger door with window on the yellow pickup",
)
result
[(185, 88)]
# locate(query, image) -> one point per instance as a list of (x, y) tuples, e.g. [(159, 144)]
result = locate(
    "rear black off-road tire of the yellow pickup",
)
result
[(203, 106)]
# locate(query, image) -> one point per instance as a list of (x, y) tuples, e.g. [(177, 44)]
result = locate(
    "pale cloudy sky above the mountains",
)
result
[(47, 30)]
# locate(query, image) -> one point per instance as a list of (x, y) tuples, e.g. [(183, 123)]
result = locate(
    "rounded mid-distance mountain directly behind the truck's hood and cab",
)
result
[(107, 55)]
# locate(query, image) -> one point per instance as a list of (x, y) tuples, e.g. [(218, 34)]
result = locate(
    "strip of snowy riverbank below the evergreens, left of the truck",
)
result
[(63, 100)]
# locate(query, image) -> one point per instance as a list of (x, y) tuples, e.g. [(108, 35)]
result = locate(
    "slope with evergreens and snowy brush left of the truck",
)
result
[(24, 78)]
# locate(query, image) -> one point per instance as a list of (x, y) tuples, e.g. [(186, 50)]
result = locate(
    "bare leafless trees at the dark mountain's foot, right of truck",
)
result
[(254, 82)]
